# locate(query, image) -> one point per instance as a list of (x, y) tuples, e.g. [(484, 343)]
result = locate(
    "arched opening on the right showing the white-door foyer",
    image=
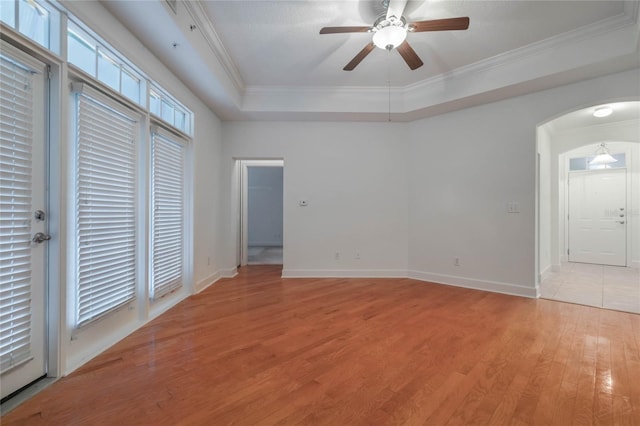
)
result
[(591, 278)]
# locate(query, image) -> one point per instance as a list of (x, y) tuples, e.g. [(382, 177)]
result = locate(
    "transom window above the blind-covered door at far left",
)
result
[(35, 19)]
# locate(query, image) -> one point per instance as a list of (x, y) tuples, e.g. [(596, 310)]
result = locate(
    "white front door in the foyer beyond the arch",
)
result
[(598, 217)]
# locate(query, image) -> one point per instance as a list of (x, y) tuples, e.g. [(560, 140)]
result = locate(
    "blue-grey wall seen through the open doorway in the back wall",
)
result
[(264, 199)]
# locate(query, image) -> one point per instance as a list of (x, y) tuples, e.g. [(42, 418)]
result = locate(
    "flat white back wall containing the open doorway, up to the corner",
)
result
[(354, 177)]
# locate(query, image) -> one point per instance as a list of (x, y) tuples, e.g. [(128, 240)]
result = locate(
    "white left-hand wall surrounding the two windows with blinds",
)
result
[(79, 346)]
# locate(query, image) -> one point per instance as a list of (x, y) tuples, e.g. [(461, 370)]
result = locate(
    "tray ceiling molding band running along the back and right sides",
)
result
[(509, 68)]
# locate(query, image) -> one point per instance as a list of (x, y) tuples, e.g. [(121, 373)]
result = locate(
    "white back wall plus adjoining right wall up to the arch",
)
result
[(412, 197)]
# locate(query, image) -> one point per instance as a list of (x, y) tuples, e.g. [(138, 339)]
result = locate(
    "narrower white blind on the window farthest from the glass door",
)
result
[(167, 193)]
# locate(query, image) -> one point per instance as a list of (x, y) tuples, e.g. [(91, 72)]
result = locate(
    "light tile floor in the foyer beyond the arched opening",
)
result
[(610, 287)]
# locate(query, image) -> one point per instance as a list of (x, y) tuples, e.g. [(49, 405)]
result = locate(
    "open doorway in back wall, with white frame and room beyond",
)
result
[(261, 206)]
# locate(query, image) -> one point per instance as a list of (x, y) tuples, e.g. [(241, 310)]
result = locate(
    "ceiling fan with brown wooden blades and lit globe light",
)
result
[(390, 32)]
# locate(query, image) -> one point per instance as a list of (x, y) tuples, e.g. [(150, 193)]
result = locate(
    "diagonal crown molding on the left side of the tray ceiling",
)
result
[(204, 24)]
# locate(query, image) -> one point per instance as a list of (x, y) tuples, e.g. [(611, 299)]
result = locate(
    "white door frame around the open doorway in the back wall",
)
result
[(242, 165)]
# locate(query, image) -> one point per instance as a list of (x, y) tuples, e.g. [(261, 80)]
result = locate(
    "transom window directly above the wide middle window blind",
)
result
[(101, 62)]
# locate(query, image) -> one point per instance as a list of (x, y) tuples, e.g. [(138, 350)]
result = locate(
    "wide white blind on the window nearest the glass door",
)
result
[(105, 209)]
